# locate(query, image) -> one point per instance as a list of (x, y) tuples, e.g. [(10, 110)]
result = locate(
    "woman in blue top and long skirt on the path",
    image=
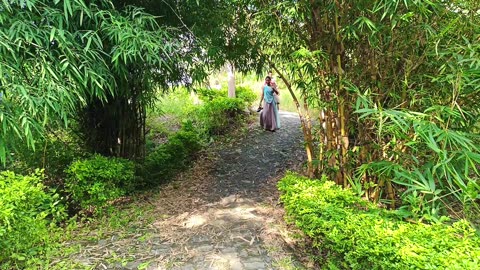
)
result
[(269, 118)]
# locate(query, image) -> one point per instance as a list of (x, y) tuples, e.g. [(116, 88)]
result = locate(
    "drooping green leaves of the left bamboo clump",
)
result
[(59, 56)]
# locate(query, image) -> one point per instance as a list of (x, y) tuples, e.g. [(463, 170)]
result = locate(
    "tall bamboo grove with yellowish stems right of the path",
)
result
[(388, 95)]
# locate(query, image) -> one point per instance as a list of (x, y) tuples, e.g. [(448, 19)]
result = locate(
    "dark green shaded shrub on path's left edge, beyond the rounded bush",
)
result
[(172, 156)]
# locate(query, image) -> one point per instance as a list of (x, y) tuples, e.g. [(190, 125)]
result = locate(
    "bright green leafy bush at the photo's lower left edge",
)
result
[(27, 212)]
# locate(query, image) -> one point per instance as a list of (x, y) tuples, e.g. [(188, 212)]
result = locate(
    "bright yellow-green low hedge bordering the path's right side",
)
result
[(358, 235)]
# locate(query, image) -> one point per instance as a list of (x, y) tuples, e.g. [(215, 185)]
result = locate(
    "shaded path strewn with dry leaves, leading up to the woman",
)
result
[(222, 214)]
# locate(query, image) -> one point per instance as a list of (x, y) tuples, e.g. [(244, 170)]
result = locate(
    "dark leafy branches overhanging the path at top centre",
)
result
[(216, 32)]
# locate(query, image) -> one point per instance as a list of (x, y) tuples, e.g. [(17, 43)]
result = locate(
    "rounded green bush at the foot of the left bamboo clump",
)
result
[(95, 181)]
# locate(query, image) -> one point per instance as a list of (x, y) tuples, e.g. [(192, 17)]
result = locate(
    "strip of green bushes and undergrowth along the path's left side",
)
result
[(91, 188)]
